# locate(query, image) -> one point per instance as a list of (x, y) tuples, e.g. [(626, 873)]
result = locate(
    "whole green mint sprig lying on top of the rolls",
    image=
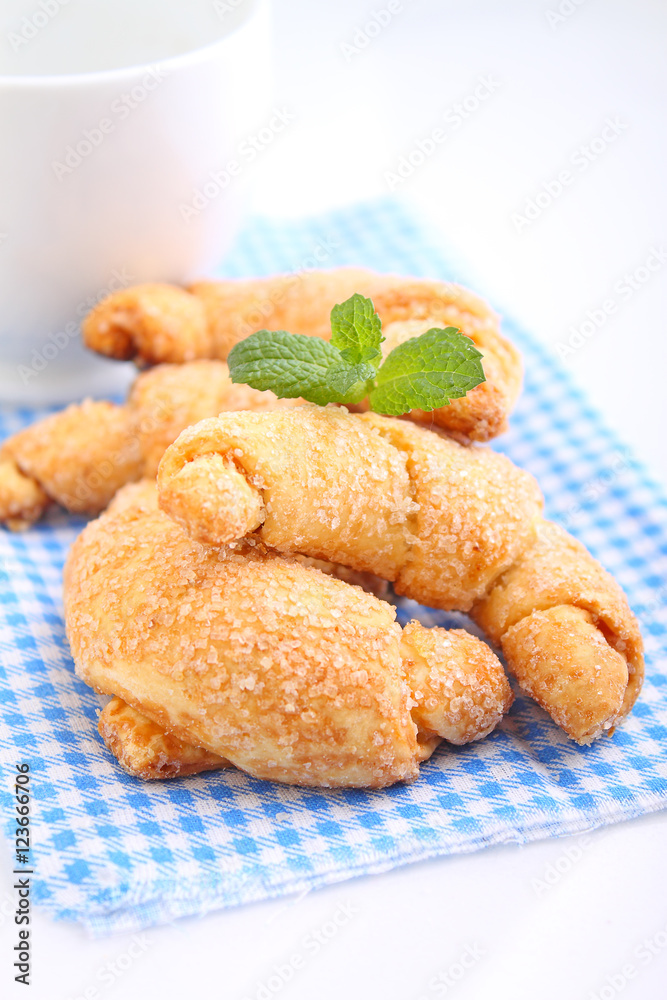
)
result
[(423, 373)]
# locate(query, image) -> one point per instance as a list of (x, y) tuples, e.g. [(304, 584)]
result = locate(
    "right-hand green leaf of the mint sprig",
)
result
[(427, 372)]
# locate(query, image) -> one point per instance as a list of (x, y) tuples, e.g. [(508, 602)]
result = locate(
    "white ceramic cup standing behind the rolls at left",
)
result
[(119, 120)]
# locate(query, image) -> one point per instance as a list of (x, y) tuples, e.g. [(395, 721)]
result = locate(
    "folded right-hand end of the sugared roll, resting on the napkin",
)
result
[(567, 633)]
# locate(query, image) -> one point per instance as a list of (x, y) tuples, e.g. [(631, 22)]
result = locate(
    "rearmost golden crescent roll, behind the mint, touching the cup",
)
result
[(163, 323)]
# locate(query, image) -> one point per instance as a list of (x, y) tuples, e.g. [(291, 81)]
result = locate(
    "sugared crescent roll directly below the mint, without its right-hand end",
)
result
[(440, 520)]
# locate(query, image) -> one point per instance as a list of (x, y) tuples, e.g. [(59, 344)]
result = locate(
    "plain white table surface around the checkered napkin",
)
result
[(581, 918)]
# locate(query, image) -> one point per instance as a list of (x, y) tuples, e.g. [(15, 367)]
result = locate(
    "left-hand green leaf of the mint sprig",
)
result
[(292, 365)]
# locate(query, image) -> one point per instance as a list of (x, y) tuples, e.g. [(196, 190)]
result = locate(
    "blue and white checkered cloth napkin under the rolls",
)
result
[(115, 853)]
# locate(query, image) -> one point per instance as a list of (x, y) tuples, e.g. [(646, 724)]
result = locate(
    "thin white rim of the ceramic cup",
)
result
[(86, 77)]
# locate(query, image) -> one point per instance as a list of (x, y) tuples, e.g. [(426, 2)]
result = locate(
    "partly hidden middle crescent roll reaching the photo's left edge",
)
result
[(82, 455)]
